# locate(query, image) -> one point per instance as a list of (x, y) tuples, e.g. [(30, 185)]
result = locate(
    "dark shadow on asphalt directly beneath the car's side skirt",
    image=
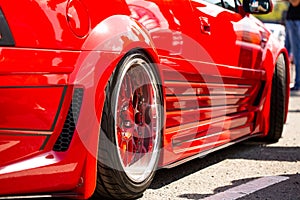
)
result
[(250, 150)]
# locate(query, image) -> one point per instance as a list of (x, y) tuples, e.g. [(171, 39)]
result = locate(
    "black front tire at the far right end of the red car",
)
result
[(278, 101)]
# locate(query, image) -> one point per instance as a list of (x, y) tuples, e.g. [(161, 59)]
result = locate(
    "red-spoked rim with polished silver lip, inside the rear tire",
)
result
[(137, 119)]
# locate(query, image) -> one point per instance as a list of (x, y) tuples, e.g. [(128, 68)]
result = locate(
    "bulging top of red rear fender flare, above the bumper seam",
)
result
[(118, 33)]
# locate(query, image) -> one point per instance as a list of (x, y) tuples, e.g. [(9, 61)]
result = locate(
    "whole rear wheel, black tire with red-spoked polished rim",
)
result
[(130, 138)]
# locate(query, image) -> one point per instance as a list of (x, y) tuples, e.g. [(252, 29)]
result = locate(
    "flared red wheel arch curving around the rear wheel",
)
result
[(103, 49)]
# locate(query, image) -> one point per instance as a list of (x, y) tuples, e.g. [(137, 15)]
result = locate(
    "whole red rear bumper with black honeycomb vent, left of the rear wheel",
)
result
[(40, 86)]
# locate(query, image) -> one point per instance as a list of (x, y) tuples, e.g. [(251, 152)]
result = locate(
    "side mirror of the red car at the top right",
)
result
[(258, 6)]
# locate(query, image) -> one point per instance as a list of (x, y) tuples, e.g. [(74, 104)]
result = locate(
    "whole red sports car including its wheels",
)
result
[(97, 95)]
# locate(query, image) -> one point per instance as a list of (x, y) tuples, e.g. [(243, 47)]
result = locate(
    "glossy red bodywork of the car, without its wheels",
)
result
[(58, 55)]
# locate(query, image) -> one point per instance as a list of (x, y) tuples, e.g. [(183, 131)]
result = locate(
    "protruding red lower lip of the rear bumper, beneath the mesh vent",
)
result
[(45, 172)]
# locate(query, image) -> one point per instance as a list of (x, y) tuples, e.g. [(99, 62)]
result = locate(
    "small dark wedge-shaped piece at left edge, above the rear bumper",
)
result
[(6, 38)]
